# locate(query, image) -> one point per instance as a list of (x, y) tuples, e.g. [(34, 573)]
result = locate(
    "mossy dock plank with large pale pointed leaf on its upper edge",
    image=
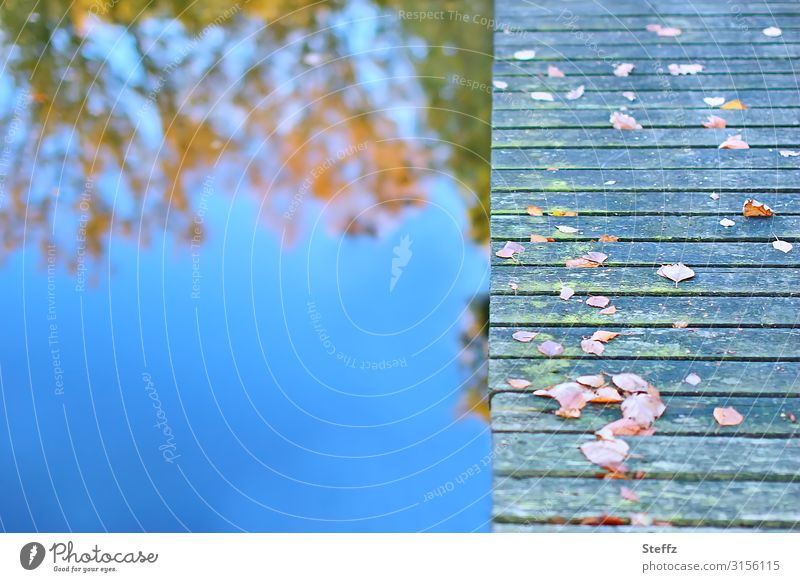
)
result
[(624, 281)]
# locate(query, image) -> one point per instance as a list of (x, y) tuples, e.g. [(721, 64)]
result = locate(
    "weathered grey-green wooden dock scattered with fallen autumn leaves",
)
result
[(727, 337)]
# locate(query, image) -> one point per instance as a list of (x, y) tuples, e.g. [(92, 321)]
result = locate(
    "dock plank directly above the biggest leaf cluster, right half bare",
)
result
[(710, 344)]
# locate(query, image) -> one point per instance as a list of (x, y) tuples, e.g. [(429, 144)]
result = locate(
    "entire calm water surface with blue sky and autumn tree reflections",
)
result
[(244, 268)]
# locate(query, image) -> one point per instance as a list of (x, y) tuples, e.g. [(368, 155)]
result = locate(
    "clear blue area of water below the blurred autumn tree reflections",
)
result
[(272, 377)]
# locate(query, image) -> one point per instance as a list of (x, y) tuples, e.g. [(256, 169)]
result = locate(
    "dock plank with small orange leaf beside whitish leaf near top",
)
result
[(678, 100)]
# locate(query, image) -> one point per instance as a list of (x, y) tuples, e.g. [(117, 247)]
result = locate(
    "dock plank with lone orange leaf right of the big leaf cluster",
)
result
[(685, 415)]
